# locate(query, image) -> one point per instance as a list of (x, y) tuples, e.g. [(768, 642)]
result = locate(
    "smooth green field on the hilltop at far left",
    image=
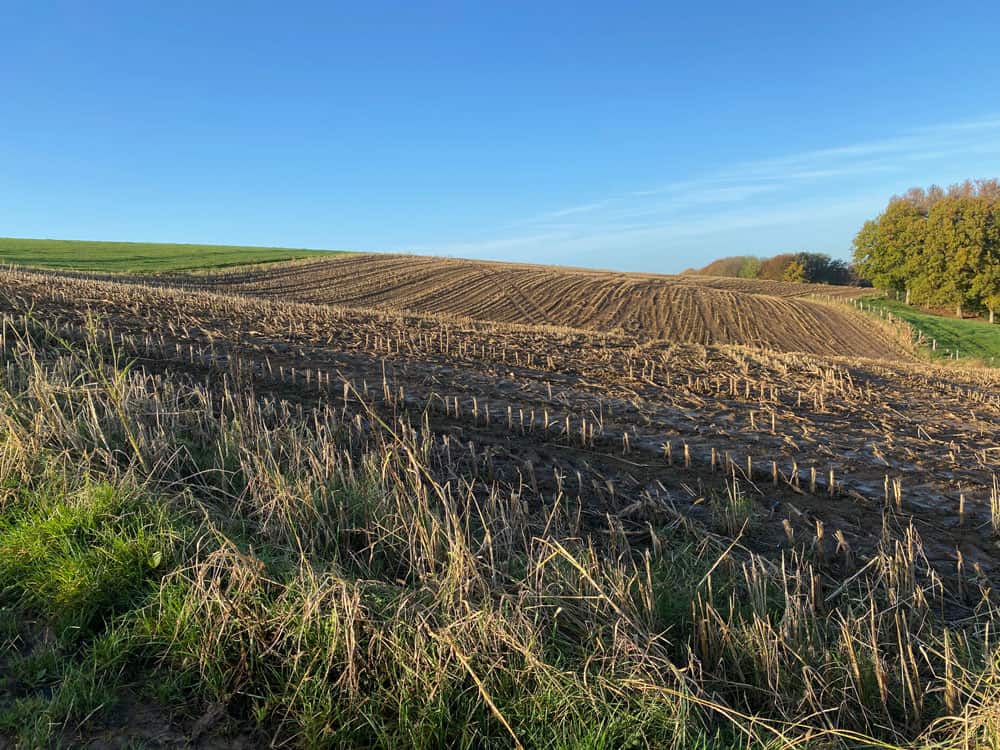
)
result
[(139, 257)]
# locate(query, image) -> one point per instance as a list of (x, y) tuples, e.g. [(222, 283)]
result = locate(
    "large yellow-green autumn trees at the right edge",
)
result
[(937, 247)]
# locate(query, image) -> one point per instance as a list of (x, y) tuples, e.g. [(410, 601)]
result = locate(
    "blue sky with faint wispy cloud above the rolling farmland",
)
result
[(629, 135)]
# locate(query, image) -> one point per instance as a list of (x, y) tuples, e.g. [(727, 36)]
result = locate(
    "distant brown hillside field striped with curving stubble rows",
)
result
[(688, 309)]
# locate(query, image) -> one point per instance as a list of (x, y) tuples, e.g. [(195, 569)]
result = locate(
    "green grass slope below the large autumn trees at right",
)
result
[(971, 339)]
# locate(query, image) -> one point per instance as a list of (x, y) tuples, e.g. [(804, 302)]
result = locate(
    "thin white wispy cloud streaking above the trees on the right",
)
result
[(787, 190)]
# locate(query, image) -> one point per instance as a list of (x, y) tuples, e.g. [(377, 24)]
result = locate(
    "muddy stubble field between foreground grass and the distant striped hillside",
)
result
[(632, 428)]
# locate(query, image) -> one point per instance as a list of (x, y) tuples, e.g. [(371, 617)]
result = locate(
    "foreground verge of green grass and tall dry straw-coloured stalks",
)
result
[(312, 580)]
